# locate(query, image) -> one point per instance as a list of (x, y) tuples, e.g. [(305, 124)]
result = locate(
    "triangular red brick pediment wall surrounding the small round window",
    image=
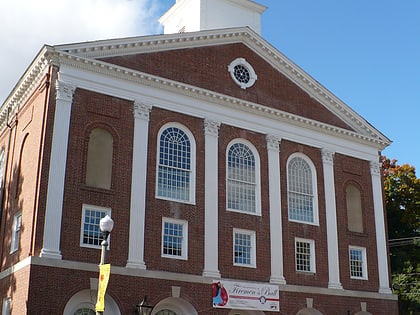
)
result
[(207, 67)]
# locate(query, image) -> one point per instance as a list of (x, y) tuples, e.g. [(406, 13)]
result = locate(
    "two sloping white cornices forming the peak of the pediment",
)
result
[(145, 44)]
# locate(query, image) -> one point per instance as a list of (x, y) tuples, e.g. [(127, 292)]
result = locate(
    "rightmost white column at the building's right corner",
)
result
[(375, 170)]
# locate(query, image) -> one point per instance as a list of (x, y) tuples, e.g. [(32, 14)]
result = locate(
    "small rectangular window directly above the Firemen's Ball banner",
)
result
[(244, 248)]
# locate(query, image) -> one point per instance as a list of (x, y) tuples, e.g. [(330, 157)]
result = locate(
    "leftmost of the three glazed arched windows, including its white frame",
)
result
[(176, 164)]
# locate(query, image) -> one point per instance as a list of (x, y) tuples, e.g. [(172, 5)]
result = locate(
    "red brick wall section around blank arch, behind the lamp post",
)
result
[(92, 110)]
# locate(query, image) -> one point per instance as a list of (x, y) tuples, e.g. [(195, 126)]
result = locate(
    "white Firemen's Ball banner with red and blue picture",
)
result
[(245, 295)]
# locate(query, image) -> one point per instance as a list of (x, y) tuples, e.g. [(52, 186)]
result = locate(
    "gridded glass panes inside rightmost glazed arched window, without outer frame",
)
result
[(300, 190)]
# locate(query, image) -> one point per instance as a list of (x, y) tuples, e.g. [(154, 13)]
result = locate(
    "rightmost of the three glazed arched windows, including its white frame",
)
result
[(301, 190)]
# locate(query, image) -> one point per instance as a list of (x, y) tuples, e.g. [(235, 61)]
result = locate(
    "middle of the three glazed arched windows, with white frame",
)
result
[(242, 176)]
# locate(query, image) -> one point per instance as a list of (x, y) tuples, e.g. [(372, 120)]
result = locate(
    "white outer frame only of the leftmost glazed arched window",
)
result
[(192, 170)]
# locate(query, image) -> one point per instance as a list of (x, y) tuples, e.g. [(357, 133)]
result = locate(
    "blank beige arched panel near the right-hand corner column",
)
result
[(354, 209)]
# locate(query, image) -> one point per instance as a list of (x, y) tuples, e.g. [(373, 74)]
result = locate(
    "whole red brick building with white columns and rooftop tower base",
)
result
[(237, 183)]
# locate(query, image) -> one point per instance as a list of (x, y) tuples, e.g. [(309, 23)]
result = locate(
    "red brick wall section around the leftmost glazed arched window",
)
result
[(156, 209)]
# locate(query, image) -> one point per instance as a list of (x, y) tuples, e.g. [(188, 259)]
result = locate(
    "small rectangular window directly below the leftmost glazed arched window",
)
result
[(174, 238)]
